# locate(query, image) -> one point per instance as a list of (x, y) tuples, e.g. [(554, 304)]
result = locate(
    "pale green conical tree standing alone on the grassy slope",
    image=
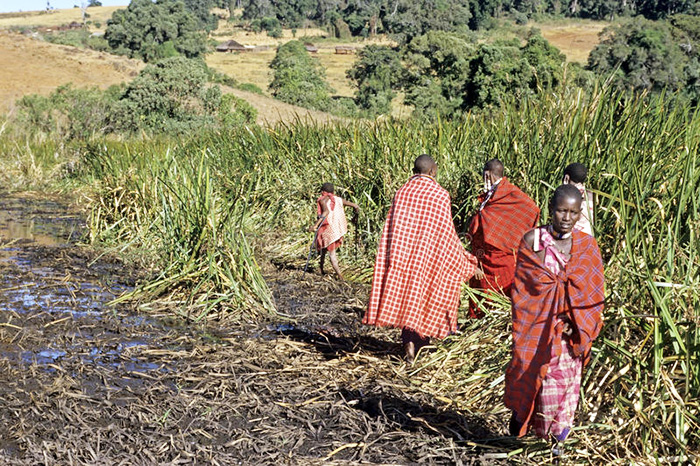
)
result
[(298, 78)]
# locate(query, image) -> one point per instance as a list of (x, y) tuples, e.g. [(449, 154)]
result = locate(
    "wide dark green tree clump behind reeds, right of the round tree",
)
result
[(448, 73)]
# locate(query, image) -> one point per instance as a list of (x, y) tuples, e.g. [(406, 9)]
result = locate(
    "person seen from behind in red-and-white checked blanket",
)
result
[(420, 263)]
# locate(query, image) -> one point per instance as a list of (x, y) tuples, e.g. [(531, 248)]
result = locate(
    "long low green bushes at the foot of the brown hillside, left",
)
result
[(172, 96)]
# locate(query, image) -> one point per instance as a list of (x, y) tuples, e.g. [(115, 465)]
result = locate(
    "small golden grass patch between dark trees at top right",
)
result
[(575, 39)]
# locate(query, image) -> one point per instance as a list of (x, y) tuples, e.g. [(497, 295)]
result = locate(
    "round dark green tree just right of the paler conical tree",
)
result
[(376, 74)]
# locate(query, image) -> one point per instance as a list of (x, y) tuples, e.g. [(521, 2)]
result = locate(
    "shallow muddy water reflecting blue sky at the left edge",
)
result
[(32, 288)]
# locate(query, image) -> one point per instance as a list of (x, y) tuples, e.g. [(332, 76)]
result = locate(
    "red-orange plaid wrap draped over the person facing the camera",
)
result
[(538, 297)]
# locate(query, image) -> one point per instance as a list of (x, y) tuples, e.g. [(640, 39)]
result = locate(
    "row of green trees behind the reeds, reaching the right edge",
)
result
[(445, 73)]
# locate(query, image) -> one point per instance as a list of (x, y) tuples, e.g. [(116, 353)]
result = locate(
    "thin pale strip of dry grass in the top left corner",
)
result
[(99, 14)]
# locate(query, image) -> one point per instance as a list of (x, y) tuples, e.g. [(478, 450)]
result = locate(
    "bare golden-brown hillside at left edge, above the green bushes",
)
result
[(29, 66)]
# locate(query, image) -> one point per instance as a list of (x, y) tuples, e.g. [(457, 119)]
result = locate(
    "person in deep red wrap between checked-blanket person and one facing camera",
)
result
[(504, 215)]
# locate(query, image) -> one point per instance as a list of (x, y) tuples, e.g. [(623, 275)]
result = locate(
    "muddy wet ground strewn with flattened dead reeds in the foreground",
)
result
[(83, 383)]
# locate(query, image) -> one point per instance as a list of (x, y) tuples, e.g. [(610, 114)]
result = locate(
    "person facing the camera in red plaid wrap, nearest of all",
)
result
[(557, 296)]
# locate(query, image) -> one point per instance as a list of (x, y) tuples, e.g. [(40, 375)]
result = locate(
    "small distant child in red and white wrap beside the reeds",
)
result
[(331, 225)]
